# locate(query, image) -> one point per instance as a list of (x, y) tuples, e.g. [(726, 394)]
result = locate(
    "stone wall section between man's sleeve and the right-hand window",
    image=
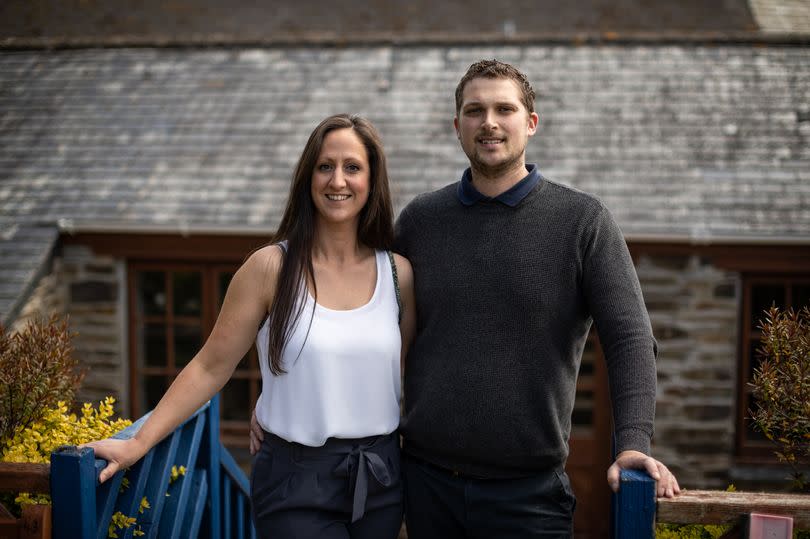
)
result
[(693, 307)]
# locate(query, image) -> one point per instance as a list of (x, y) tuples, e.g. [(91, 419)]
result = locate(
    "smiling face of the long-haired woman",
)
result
[(341, 179)]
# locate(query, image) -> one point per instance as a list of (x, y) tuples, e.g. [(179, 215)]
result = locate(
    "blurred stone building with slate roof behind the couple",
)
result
[(140, 164)]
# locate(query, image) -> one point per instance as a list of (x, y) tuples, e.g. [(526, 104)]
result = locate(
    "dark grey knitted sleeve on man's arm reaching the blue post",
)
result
[(613, 294)]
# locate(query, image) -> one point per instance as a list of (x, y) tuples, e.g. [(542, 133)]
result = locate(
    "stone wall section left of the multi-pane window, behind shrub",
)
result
[(87, 288)]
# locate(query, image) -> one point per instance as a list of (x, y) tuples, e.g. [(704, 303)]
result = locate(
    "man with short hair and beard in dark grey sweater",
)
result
[(510, 269)]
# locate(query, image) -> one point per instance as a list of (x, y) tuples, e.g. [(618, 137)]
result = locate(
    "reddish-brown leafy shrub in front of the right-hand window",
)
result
[(781, 387)]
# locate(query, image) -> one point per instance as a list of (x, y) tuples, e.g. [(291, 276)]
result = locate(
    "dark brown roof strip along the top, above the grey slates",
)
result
[(273, 21)]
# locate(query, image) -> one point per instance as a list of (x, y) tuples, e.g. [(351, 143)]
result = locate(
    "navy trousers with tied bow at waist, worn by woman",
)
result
[(346, 489)]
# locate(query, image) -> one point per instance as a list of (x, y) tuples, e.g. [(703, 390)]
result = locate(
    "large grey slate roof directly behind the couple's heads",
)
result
[(684, 142)]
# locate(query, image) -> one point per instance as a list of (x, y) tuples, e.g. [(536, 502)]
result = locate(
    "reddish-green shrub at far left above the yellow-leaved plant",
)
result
[(37, 370)]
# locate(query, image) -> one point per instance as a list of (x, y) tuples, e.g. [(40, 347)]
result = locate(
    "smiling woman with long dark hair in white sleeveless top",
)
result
[(332, 331)]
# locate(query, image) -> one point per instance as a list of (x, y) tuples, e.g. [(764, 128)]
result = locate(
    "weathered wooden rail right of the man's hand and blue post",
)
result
[(719, 507)]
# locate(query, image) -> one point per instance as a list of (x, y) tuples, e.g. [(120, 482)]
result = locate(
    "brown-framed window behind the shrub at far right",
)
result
[(759, 293)]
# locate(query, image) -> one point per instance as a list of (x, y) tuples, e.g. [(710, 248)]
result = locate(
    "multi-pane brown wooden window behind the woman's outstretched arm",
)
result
[(173, 308)]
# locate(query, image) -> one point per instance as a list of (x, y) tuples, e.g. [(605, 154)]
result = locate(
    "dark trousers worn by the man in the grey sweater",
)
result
[(440, 504)]
